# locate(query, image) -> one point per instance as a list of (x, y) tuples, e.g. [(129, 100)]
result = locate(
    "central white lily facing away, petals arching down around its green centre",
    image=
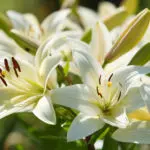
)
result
[(66, 44)]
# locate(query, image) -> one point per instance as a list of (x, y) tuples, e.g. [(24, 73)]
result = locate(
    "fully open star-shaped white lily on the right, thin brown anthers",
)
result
[(103, 98)]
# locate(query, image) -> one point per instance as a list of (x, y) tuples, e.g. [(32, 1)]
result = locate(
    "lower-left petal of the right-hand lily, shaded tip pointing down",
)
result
[(83, 126)]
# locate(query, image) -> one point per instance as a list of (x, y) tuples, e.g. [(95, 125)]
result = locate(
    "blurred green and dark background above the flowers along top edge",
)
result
[(42, 8)]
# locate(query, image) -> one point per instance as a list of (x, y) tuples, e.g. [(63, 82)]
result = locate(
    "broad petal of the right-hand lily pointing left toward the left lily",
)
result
[(79, 97)]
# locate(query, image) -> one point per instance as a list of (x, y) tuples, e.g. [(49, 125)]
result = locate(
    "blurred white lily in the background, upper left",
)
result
[(28, 25)]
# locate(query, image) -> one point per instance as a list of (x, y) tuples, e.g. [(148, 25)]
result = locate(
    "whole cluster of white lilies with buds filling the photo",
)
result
[(107, 51)]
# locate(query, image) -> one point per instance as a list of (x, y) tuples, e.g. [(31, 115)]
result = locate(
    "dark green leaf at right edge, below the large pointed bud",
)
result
[(142, 56)]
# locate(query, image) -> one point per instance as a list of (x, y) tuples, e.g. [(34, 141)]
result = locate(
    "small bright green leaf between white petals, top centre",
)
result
[(87, 36)]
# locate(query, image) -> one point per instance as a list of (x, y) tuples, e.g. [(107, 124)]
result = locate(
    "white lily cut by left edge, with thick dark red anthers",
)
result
[(26, 87)]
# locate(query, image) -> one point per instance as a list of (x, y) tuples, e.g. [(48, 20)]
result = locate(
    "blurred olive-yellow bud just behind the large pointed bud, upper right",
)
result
[(116, 19)]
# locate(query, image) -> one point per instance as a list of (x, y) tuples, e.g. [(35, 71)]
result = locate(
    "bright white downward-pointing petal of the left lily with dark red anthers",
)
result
[(44, 110)]
